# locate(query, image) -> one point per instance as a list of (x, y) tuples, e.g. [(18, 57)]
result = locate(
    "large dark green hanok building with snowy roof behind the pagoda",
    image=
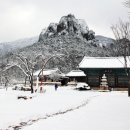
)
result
[(116, 70)]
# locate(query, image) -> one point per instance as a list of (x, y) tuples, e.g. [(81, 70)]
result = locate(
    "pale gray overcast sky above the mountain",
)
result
[(26, 18)]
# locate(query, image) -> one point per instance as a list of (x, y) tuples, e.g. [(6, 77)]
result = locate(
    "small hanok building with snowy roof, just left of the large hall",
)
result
[(76, 75)]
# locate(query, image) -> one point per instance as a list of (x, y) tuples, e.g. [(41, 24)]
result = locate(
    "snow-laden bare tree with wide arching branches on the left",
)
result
[(28, 66)]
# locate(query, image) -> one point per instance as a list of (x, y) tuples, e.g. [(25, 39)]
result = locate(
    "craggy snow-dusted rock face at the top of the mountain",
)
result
[(68, 25)]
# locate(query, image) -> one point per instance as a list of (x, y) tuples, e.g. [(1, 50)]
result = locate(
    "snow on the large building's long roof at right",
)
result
[(104, 62)]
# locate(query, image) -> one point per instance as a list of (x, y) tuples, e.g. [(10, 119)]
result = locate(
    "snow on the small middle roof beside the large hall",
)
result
[(76, 73)]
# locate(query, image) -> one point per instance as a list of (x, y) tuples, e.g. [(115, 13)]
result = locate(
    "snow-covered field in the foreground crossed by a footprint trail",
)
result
[(65, 109)]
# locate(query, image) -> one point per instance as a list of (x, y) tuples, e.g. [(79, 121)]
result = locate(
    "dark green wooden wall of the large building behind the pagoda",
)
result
[(117, 78)]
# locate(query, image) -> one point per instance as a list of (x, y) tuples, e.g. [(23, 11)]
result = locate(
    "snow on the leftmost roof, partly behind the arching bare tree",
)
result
[(47, 71)]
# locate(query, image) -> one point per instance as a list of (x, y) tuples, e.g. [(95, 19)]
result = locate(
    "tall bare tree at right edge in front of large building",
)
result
[(121, 32)]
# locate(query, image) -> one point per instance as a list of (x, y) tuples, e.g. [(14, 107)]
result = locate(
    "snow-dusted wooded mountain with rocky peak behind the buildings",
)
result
[(70, 37)]
